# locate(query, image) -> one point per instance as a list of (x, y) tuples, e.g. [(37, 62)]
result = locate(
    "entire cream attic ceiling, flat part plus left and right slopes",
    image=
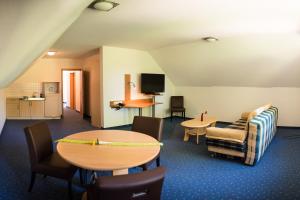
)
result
[(256, 38)]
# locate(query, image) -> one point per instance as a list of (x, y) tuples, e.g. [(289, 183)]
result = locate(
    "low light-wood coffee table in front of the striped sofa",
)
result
[(197, 127)]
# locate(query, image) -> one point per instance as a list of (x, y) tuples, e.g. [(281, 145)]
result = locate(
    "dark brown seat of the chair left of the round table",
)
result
[(55, 166)]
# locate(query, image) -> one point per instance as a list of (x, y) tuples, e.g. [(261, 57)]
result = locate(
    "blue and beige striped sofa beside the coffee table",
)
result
[(246, 138)]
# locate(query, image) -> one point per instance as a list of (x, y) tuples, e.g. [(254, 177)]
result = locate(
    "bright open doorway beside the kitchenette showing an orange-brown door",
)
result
[(72, 90)]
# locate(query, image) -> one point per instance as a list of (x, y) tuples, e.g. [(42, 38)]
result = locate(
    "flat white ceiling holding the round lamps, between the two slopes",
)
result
[(149, 25)]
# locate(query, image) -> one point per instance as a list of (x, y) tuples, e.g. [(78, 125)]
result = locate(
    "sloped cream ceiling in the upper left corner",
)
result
[(28, 28)]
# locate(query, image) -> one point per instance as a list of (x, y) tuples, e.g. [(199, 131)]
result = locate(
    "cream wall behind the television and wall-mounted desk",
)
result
[(116, 63)]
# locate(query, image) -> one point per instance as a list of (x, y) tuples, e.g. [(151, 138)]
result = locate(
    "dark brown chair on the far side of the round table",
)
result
[(151, 126)]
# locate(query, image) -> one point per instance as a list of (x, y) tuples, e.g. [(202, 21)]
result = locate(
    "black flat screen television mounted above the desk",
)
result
[(152, 83)]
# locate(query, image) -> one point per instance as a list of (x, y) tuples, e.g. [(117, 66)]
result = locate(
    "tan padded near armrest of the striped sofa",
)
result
[(227, 134)]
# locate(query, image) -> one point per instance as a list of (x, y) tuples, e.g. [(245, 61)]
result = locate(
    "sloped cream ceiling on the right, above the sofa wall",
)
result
[(264, 60)]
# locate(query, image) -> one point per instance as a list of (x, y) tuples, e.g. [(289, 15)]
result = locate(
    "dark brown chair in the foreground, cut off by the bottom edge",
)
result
[(140, 186)]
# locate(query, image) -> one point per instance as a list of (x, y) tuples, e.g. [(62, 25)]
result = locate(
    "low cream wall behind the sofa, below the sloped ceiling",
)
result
[(227, 103)]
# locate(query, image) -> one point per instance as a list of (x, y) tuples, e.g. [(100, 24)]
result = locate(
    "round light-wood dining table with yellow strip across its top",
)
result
[(106, 157)]
